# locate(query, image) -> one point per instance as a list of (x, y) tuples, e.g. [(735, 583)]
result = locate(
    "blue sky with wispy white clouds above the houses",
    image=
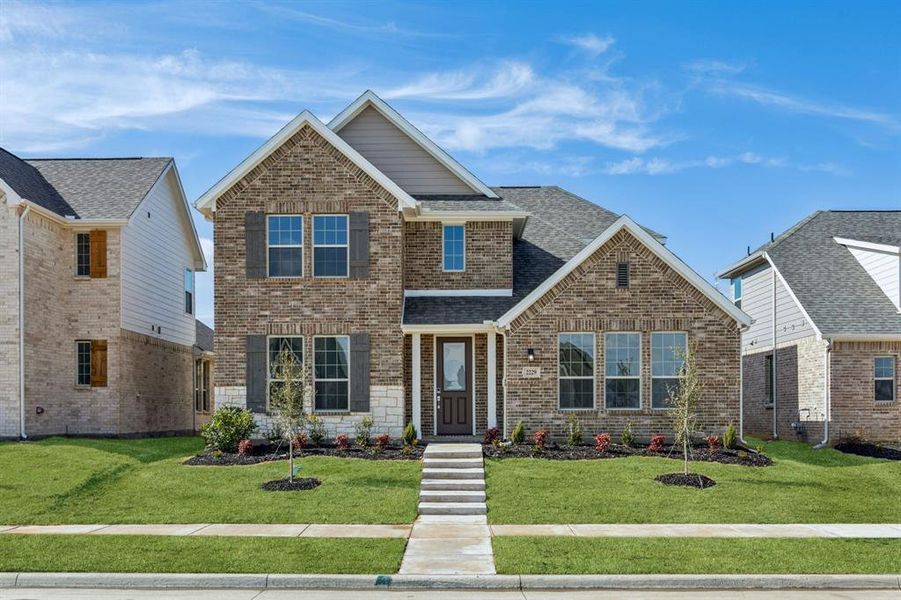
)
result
[(714, 123)]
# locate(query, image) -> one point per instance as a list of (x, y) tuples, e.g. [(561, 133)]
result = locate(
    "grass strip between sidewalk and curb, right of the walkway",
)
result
[(602, 556)]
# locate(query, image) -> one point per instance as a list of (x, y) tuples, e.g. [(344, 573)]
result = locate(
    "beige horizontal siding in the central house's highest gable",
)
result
[(399, 157)]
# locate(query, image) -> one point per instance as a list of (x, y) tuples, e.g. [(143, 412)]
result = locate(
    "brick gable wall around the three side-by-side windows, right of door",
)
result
[(587, 300)]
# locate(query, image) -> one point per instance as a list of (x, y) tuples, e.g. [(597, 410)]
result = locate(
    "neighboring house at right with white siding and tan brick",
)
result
[(827, 292)]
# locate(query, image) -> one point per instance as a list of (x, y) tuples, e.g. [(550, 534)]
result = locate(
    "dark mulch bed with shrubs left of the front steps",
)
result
[(267, 453)]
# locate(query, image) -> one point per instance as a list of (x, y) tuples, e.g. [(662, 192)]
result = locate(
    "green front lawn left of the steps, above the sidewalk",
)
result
[(62, 481)]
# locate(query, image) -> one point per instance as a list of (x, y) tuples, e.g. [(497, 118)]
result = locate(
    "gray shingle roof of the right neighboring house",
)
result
[(831, 285)]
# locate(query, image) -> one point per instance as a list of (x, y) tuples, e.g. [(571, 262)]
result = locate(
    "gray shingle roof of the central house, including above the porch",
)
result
[(559, 225)]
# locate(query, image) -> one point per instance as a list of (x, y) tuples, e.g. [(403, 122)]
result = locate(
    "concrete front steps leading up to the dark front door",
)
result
[(453, 480)]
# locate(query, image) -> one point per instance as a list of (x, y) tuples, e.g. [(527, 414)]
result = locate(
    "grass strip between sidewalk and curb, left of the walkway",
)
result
[(151, 554)]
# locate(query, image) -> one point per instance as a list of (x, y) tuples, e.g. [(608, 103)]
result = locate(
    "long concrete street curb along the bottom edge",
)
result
[(159, 581)]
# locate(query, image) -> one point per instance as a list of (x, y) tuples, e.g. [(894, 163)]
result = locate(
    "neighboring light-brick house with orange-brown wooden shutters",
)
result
[(97, 258)]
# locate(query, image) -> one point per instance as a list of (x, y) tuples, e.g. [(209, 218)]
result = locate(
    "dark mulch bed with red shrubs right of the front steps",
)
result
[(744, 457)]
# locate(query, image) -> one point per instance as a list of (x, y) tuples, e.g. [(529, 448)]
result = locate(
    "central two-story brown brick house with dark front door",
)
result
[(413, 292)]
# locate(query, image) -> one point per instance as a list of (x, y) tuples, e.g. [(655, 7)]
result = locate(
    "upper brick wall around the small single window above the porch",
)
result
[(489, 257)]
